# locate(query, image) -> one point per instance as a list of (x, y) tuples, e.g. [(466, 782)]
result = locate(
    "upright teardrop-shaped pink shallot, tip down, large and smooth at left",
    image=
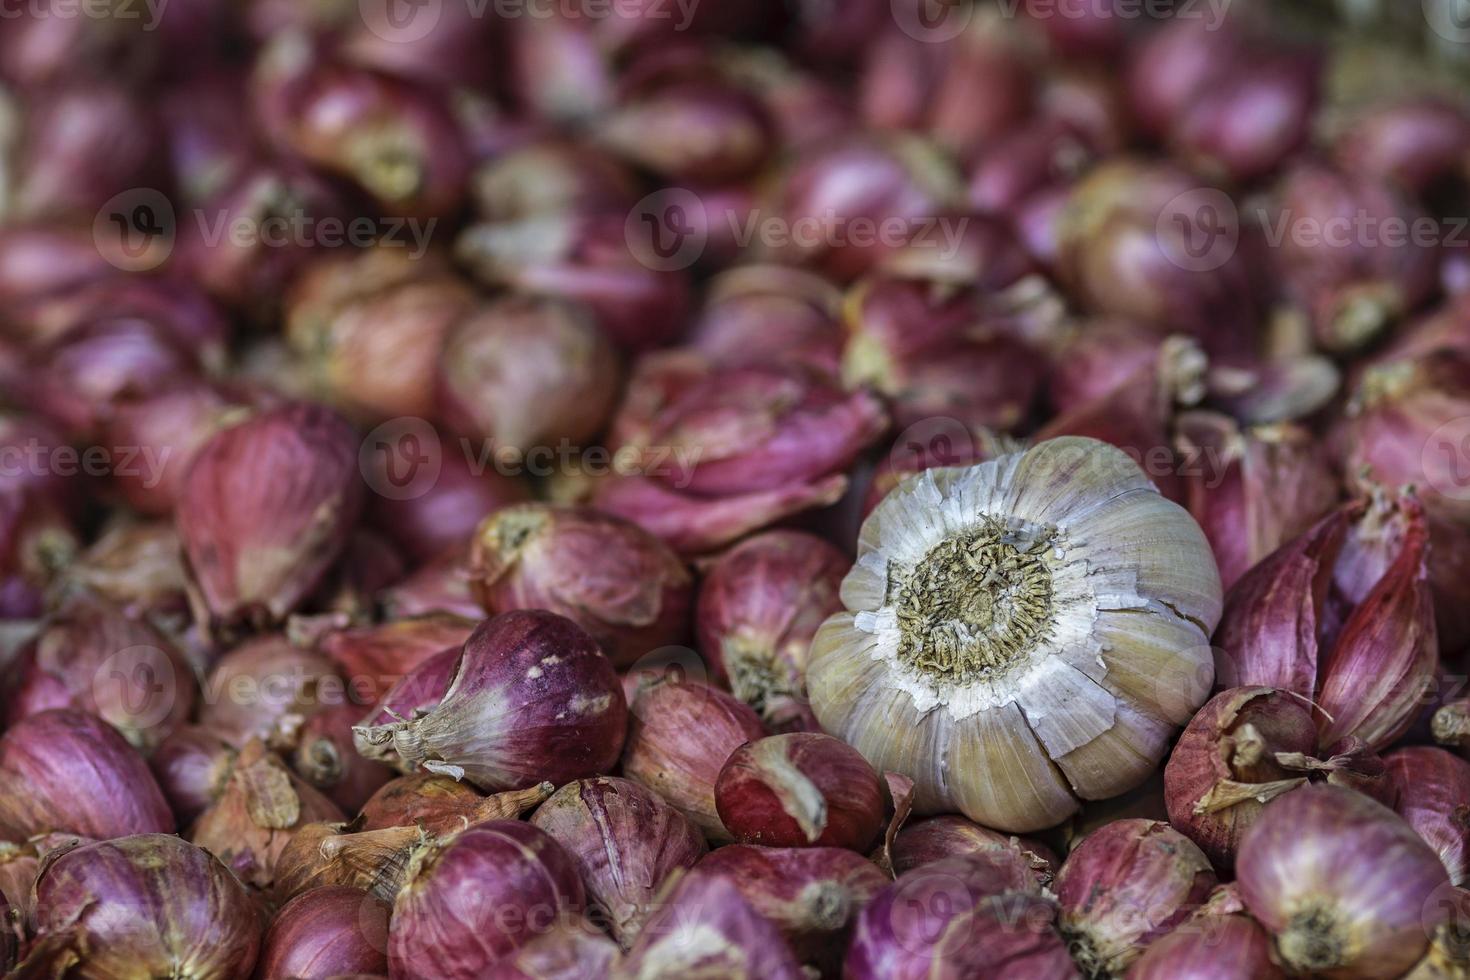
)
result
[(265, 511)]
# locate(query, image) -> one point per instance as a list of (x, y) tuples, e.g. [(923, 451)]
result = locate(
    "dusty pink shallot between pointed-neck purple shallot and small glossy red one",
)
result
[(678, 741)]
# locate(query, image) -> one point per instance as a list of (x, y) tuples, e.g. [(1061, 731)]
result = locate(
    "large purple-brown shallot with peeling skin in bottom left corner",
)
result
[(148, 904)]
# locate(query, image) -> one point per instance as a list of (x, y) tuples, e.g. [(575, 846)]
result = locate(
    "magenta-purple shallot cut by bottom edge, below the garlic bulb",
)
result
[(964, 916)]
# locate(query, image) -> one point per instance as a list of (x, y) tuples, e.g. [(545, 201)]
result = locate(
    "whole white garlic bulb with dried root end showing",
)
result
[(1022, 634)]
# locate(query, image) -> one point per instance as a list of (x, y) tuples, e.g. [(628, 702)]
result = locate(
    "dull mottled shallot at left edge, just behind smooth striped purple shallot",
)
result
[(92, 657)]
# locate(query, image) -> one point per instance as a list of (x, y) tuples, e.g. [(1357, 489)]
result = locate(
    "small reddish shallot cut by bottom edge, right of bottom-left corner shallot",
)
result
[(329, 932)]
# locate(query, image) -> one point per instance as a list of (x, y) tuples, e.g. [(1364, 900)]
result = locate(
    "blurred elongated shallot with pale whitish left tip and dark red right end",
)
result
[(589, 259)]
